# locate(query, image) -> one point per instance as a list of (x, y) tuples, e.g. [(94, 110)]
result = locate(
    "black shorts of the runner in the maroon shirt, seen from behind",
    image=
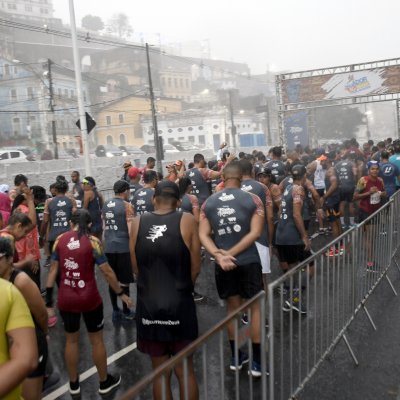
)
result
[(94, 320)]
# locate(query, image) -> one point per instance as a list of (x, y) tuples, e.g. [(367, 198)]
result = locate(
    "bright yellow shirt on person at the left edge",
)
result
[(14, 314)]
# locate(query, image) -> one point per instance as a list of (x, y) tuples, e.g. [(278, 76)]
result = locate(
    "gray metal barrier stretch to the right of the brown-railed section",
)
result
[(330, 291)]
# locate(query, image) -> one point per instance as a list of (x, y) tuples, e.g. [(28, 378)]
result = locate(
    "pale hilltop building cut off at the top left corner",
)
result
[(30, 10)]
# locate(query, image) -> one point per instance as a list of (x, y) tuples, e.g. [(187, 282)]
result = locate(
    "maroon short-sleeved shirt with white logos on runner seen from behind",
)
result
[(76, 257)]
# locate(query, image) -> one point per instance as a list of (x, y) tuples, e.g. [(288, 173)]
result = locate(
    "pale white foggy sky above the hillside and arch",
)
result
[(284, 34)]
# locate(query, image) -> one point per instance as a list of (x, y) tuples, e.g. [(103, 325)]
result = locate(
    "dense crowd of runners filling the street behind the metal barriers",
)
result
[(239, 210)]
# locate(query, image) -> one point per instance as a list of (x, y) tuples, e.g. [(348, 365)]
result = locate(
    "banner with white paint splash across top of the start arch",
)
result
[(384, 80)]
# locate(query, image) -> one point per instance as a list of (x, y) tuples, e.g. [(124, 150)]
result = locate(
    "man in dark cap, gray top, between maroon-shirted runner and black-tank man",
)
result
[(117, 213)]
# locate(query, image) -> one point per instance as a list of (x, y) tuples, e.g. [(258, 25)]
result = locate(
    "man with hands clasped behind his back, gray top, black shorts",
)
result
[(230, 223)]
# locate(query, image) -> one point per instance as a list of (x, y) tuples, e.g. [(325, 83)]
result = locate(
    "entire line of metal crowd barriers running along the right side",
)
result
[(310, 309)]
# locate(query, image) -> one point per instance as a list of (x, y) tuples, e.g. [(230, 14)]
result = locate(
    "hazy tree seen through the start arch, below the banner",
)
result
[(338, 123)]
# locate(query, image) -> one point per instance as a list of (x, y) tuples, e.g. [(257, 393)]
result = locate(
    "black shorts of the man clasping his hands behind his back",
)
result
[(244, 281)]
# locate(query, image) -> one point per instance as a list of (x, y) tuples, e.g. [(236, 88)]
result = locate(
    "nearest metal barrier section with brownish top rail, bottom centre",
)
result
[(211, 358)]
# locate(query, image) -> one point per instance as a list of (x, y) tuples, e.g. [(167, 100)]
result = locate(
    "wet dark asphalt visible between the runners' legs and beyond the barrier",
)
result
[(377, 376)]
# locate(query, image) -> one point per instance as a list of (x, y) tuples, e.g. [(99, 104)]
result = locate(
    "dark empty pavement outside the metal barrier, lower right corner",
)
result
[(378, 352)]
